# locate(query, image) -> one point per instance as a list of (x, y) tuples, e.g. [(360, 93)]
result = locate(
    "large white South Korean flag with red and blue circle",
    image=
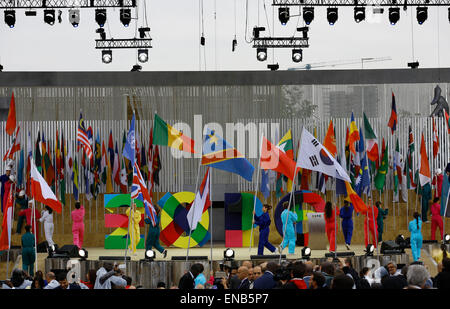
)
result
[(314, 156)]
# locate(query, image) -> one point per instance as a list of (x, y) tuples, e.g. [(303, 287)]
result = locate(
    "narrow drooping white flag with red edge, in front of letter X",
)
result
[(201, 202)]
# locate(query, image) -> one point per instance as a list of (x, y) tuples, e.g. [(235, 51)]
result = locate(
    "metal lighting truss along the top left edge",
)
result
[(60, 4)]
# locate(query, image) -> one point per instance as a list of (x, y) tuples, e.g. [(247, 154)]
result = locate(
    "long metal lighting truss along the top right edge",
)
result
[(335, 3)]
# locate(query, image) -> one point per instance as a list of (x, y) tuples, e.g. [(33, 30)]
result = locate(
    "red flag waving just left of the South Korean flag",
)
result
[(272, 158)]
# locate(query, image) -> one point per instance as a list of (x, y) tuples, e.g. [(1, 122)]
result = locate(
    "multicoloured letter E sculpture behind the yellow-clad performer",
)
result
[(118, 238)]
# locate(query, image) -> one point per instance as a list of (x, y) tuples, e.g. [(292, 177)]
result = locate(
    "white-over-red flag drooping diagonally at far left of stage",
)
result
[(41, 192)]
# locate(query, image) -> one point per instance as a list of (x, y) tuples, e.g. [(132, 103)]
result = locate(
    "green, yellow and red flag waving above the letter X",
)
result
[(166, 135)]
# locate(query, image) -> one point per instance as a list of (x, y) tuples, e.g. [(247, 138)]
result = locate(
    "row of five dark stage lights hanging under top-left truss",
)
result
[(74, 17)]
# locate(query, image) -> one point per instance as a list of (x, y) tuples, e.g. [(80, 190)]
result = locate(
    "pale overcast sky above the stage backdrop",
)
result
[(33, 45)]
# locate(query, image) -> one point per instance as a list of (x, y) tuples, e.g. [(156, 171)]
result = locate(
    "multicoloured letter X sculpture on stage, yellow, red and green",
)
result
[(174, 224)]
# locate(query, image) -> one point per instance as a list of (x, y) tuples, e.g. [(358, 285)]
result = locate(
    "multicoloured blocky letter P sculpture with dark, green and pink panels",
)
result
[(238, 218)]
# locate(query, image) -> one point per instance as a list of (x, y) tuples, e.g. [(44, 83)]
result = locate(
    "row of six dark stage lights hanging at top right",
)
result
[(359, 14)]
